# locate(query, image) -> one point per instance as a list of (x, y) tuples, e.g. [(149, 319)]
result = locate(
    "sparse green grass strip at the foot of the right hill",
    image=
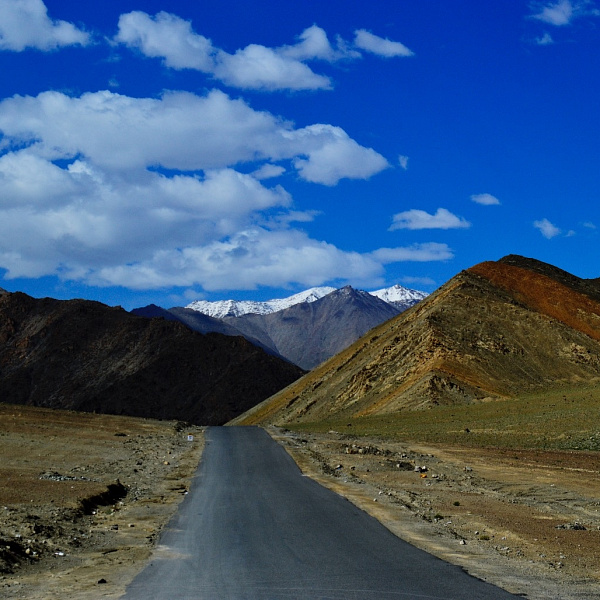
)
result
[(567, 418)]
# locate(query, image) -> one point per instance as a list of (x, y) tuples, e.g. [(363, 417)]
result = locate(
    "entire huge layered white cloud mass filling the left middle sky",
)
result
[(144, 193)]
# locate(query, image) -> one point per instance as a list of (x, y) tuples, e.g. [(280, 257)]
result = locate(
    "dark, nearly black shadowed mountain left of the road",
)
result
[(83, 355)]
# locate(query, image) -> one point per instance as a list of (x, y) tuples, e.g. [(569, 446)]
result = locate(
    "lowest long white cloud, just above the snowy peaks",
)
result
[(259, 257)]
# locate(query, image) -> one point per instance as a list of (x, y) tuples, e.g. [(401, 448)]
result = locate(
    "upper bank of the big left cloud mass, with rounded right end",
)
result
[(179, 131)]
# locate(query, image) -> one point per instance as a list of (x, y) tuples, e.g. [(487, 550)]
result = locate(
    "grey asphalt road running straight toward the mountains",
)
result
[(253, 527)]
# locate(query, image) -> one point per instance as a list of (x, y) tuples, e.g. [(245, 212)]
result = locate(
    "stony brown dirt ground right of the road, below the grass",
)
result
[(528, 521)]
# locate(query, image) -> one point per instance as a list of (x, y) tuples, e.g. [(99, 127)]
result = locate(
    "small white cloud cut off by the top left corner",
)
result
[(26, 24)]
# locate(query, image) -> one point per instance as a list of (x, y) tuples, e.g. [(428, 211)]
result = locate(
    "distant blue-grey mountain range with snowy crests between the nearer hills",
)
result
[(306, 328)]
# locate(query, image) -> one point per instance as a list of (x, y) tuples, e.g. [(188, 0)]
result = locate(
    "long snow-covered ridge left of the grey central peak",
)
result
[(237, 308)]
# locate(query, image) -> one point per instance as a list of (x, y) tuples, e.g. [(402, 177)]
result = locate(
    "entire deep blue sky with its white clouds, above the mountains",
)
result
[(164, 152)]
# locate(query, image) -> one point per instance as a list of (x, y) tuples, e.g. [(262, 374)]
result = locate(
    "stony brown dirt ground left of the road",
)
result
[(84, 497)]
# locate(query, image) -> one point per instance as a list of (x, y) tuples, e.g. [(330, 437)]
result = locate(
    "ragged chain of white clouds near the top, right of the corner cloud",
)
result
[(259, 67)]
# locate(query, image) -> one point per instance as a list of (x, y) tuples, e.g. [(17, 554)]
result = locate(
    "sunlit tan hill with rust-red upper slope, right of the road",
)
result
[(497, 330)]
